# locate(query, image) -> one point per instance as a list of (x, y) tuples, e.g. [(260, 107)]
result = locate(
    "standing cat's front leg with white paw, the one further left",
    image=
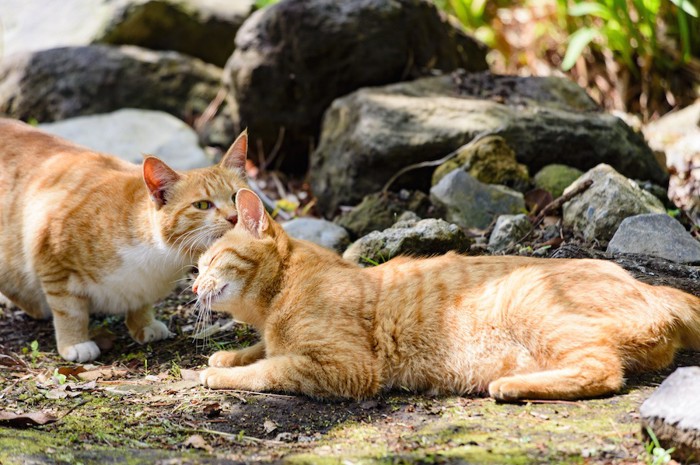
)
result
[(71, 319)]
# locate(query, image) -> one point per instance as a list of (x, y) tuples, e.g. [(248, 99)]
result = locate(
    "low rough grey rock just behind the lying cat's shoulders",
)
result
[(409, 237)]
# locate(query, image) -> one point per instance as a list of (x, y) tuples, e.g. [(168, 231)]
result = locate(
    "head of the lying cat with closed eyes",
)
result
[(243, 270)]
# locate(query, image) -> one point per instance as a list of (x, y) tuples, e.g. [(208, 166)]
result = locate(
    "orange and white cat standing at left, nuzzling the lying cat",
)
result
[(84, 232)]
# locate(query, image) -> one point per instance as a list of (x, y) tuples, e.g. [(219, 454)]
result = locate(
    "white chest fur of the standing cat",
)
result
[(145, 275)]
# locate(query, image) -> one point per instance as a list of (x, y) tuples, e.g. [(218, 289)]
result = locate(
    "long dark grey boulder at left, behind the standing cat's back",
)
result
[(64, 82)]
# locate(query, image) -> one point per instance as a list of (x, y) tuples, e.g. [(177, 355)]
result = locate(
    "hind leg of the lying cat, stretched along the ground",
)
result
[(594, 375)]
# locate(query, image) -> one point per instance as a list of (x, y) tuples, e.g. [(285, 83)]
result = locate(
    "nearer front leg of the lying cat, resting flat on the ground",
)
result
[(282, 373)]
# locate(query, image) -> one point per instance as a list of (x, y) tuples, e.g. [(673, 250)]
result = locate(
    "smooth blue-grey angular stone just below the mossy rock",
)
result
[(472, 204)]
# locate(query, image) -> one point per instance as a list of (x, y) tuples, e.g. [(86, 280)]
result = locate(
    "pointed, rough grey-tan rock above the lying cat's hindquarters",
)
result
[(597, 213)]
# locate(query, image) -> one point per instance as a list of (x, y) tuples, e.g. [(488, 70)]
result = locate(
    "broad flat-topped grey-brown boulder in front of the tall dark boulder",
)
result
[(371, 134)]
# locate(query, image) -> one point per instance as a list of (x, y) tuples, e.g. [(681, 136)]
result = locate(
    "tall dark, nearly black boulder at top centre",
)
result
[(293, 58)]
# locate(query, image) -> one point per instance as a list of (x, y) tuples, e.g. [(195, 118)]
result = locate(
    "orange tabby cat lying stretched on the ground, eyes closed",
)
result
[(521, 328)]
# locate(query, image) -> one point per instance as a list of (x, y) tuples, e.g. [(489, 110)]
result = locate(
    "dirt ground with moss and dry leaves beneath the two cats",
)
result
[(142, 404)]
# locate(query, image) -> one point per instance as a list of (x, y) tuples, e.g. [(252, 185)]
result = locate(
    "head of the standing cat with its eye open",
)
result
[(194, 208)]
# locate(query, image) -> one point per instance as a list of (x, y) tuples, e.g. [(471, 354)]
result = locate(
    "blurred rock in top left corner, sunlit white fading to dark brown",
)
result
[(201, 28)]
